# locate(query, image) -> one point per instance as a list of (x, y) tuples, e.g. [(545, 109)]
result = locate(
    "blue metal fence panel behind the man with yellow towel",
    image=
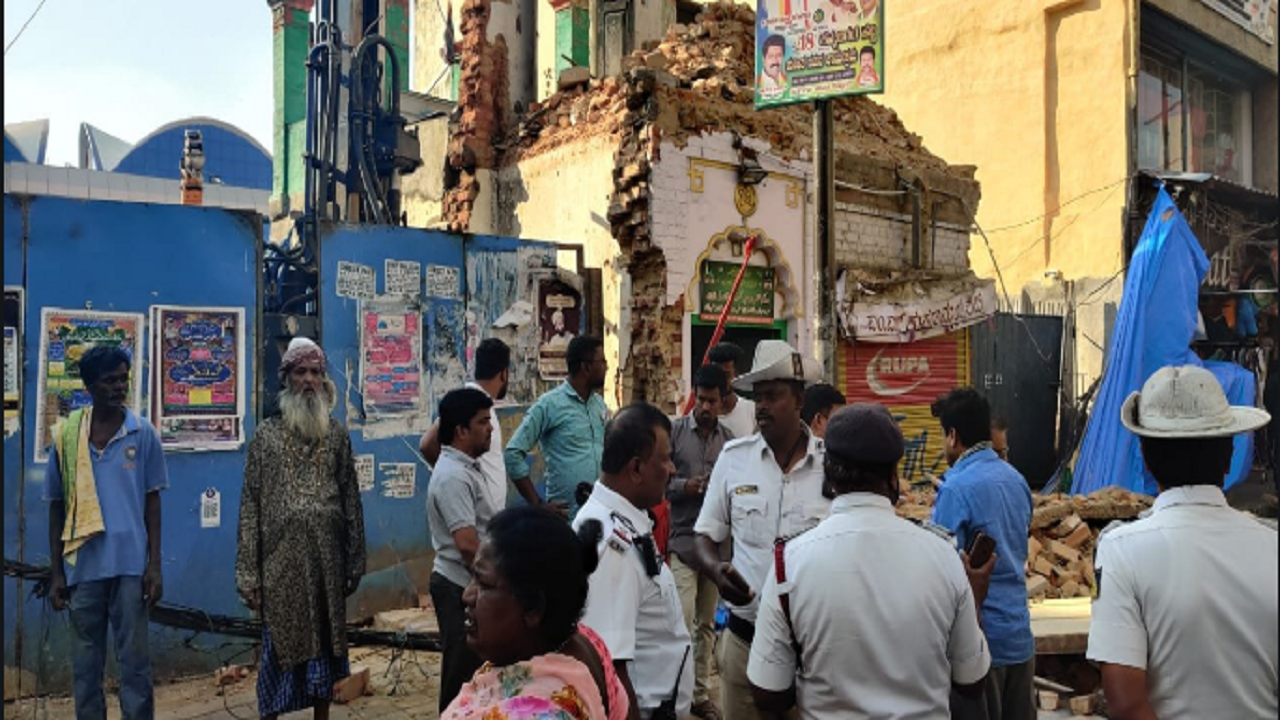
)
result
[(127, 258)]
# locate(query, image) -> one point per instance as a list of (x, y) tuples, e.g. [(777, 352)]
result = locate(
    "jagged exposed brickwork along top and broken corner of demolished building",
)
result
[(700, 80)]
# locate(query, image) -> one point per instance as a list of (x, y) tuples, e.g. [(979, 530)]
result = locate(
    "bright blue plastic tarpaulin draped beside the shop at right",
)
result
[(1154, 329)]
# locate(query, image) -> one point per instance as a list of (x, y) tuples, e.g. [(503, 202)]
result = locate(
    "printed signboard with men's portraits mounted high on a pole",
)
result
[(819, 51)]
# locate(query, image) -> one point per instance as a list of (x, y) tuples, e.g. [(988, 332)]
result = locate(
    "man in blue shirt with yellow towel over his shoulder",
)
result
[(103, 485)]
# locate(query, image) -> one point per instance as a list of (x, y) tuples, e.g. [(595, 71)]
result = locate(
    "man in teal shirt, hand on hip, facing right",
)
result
[(569, 425)]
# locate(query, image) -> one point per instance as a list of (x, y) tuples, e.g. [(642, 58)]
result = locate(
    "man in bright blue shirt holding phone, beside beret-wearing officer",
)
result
[(981, 493)]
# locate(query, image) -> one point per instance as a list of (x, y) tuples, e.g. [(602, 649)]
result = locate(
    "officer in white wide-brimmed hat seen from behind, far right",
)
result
[(1187, 618)]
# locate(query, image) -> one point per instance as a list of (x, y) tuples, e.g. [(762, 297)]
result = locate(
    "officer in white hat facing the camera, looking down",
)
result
[(765, 489)]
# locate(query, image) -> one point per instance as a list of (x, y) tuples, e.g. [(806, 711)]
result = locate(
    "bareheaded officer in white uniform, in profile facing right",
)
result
[(633, 603)]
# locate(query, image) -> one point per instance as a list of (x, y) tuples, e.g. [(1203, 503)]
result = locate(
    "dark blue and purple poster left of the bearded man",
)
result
[(199, 359)]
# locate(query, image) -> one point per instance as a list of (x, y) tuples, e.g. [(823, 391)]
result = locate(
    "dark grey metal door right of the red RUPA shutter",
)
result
[(1017, 363)]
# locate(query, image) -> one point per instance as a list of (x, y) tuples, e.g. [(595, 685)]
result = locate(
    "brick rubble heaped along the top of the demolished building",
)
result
[(702, 79)]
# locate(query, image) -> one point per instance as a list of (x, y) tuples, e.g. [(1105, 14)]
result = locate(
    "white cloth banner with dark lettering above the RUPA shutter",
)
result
[(918, 320)]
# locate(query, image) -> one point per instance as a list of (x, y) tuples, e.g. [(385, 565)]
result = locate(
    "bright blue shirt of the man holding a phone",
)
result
[(982, 493)]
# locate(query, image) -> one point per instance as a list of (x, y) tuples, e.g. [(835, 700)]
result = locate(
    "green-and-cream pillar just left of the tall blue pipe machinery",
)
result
[(290, 45)]
